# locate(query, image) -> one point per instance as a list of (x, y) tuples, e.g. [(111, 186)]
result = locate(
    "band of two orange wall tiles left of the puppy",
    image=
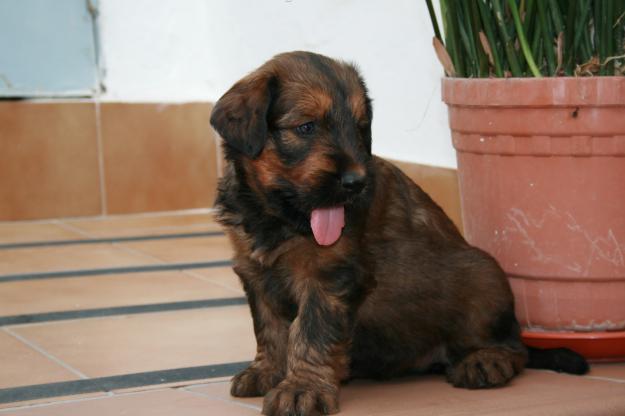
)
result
[(81, 158)]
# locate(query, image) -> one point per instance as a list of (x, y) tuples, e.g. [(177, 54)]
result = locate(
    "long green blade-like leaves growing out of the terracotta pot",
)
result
[(530, 38)]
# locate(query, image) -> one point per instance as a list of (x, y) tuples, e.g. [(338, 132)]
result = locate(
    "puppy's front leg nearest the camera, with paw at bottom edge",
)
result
[(317, 356)]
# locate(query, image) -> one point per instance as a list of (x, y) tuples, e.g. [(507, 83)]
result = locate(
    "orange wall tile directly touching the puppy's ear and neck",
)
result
[(158, 157)]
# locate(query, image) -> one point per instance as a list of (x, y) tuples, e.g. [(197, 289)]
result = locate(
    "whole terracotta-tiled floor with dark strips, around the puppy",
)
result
[(59, 334)]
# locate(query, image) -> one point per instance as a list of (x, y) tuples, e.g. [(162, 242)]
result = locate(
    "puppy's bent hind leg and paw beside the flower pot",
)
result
[(486, 349)]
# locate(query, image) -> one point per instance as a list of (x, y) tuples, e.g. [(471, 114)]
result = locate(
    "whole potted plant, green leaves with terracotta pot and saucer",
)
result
[(536, 97)]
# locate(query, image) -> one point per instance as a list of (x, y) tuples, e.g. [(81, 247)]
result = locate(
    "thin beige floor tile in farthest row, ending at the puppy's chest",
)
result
[(147, 224)]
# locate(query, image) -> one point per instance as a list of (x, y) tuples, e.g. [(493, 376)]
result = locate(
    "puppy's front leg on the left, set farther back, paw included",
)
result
[(269, 365)]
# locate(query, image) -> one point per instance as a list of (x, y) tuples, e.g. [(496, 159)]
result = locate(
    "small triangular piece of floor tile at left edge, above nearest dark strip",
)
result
[(21, 365)]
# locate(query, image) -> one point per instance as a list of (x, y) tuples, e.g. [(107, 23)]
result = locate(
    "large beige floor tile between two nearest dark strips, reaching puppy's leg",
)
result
[(148, 342)]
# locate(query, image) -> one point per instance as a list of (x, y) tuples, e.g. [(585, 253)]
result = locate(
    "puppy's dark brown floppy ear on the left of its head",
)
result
[(240, 115)]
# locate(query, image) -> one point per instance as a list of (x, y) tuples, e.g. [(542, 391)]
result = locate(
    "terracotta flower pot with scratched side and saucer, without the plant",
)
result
[(541, 168)]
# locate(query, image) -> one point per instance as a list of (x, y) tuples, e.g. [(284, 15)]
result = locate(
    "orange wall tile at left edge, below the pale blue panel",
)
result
[(48, 160)]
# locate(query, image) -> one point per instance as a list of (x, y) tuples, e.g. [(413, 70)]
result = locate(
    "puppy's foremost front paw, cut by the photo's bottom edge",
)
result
[(302, 399)]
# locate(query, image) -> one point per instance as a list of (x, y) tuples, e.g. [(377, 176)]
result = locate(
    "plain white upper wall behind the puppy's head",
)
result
[(193, 50)]
